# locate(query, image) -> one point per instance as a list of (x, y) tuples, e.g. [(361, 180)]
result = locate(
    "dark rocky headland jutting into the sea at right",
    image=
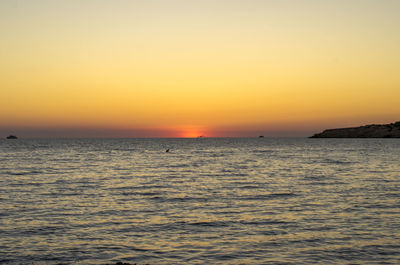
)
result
[(391, 130)]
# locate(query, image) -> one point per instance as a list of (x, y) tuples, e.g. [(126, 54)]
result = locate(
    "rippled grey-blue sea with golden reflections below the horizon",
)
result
[(206, 201)]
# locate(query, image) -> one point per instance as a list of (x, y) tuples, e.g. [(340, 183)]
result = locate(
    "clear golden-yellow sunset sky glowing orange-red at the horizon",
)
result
[(217, 68)]
